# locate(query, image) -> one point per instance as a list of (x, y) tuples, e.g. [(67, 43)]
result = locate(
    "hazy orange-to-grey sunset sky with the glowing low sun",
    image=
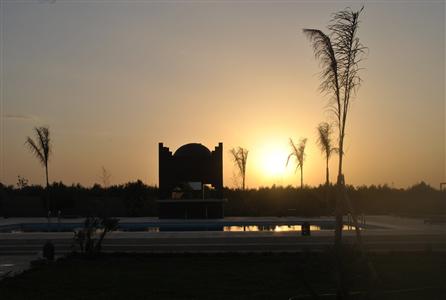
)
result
[(112, 79)]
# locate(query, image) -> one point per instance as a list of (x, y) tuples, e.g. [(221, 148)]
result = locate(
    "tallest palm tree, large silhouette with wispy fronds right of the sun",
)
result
[(339, 53)]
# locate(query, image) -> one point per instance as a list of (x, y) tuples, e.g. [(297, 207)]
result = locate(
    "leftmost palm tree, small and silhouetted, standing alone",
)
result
[(41, 148)]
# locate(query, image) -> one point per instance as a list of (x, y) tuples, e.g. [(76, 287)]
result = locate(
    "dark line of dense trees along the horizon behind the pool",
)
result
[(138, 199)]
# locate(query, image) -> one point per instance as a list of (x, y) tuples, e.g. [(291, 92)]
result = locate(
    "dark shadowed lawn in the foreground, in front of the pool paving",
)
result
[(224, 276)]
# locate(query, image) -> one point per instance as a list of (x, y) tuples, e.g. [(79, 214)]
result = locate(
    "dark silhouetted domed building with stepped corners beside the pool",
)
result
[(191, 182)]
